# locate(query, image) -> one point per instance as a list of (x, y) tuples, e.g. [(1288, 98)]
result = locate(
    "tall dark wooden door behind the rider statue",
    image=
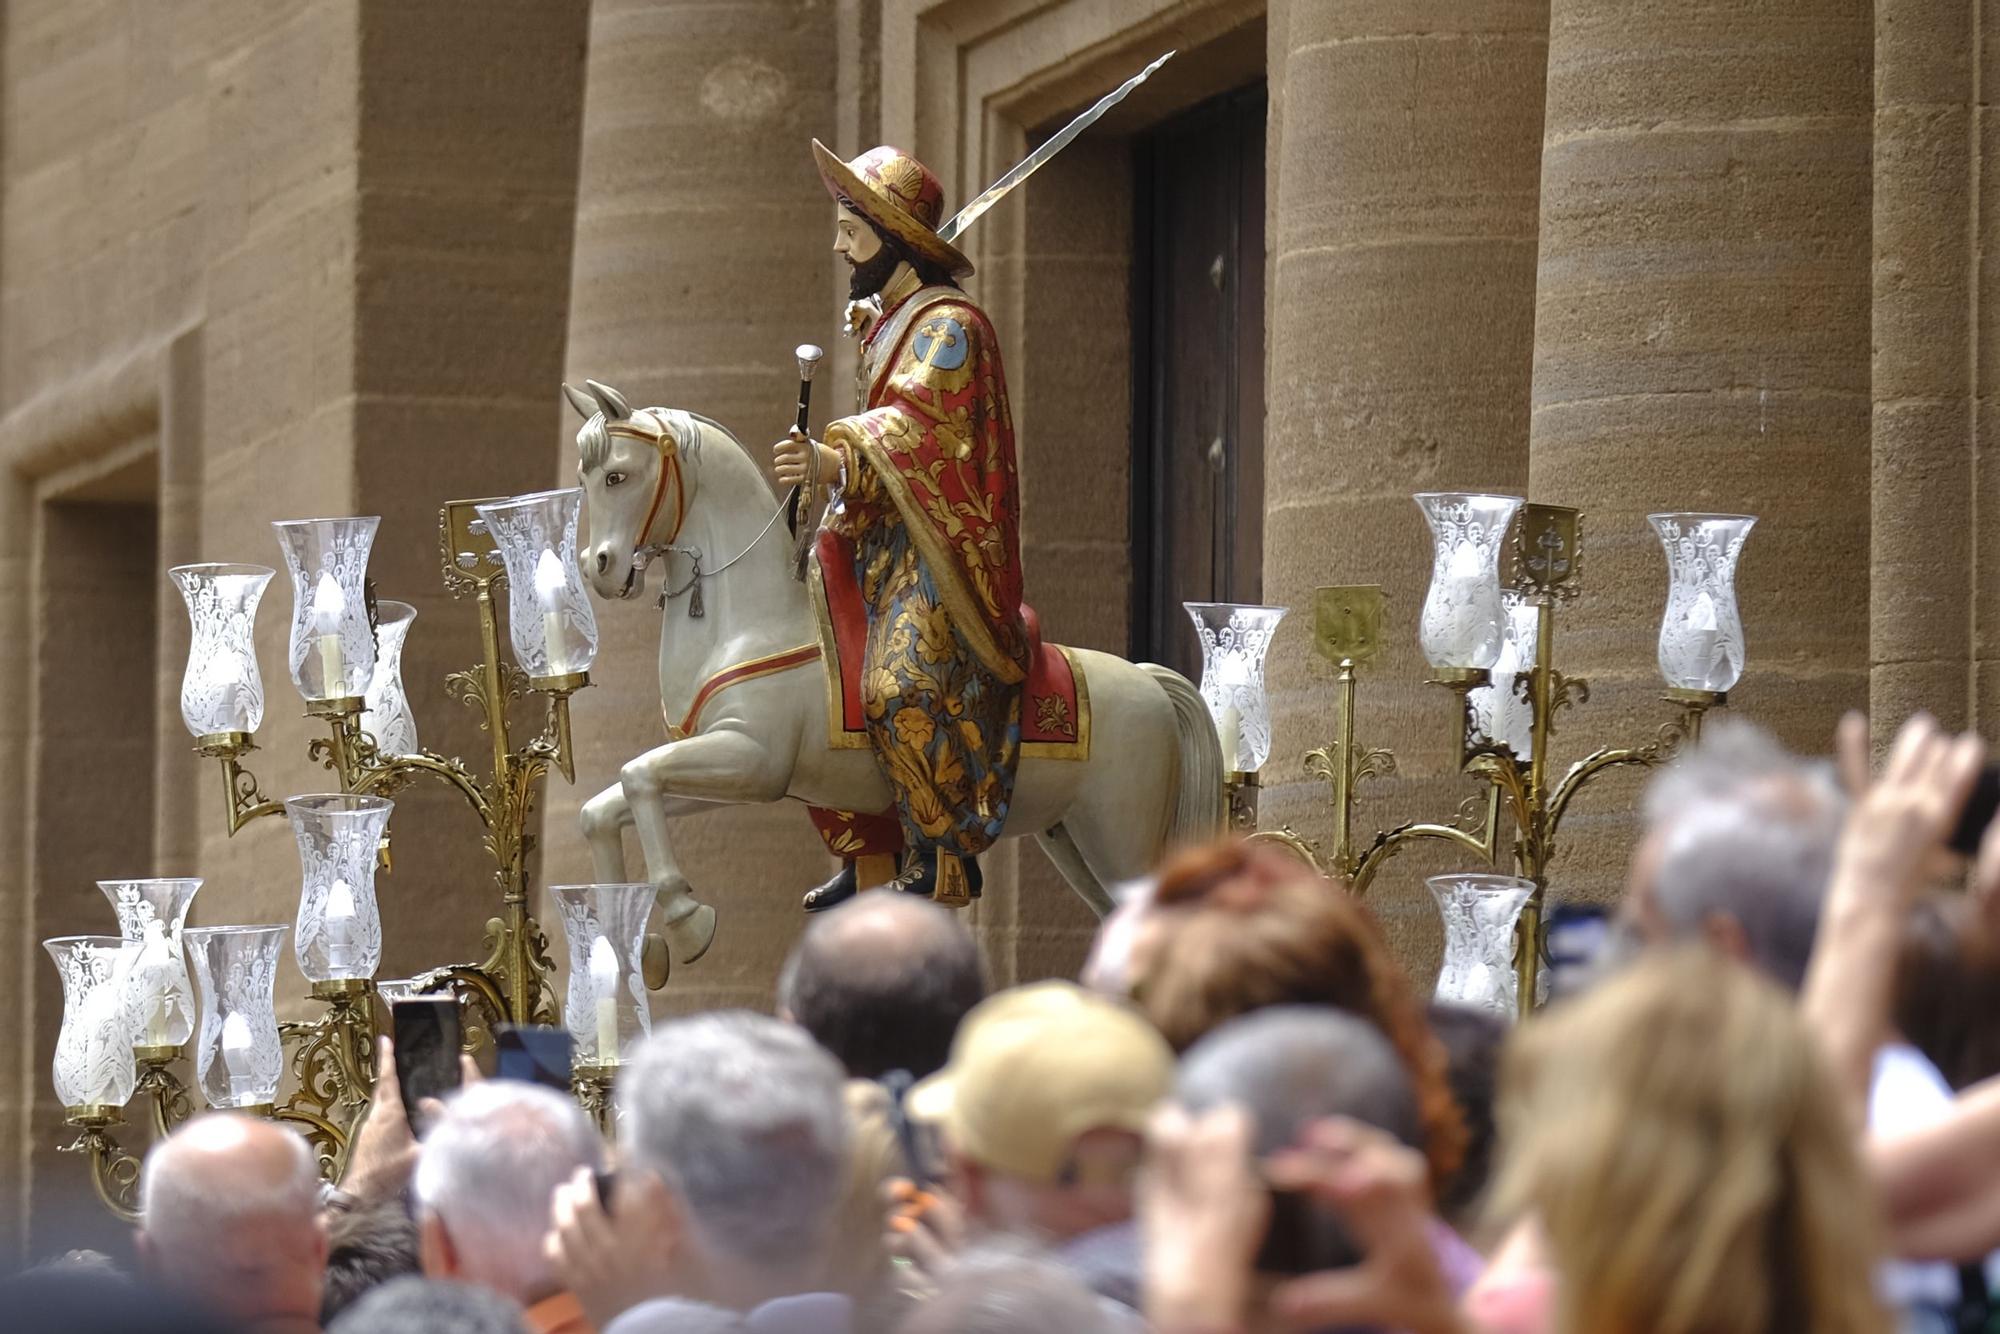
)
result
[(1199, 375)]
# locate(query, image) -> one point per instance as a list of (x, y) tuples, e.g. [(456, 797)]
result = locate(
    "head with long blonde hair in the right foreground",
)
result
[(1689, 1159)]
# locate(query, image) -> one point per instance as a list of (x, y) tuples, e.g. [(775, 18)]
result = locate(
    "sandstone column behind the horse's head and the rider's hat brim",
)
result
[(703, 259)]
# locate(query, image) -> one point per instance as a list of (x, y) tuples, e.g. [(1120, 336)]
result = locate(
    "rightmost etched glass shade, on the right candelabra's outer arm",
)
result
[(1701, 633)]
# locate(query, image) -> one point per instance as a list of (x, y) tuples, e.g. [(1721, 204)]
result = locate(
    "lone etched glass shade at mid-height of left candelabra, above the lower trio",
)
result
[(339, 925)]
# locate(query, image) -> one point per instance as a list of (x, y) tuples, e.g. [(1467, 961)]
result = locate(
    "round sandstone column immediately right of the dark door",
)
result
[(1403, 163)]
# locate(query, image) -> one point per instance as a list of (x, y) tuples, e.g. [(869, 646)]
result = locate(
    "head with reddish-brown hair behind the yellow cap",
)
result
[(1239, 927)]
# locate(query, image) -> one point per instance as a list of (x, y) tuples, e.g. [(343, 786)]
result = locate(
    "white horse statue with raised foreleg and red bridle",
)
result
[(679, 487)]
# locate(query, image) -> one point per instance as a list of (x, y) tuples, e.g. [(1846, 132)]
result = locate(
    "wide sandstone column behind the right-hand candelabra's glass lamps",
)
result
[(1703, 345)]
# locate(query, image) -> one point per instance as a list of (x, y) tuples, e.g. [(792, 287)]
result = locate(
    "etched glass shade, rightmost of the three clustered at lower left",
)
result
[(237, 1055)]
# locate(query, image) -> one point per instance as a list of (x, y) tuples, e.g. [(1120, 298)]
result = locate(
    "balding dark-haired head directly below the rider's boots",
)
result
[(883, 983)]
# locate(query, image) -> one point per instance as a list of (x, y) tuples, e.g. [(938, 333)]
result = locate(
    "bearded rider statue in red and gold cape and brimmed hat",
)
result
[(925, 505)]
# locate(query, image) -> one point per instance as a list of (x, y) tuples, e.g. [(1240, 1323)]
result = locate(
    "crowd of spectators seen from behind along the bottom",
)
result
[(1773, 1109)]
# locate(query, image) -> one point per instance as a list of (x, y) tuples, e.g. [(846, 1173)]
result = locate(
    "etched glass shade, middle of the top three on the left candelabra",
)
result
[(333, 645)]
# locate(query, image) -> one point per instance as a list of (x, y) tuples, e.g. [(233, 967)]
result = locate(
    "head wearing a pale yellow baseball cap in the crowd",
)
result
[(1043, 1107)]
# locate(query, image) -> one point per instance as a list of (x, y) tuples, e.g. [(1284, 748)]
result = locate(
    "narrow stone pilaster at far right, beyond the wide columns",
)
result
[(1923, 537)]
